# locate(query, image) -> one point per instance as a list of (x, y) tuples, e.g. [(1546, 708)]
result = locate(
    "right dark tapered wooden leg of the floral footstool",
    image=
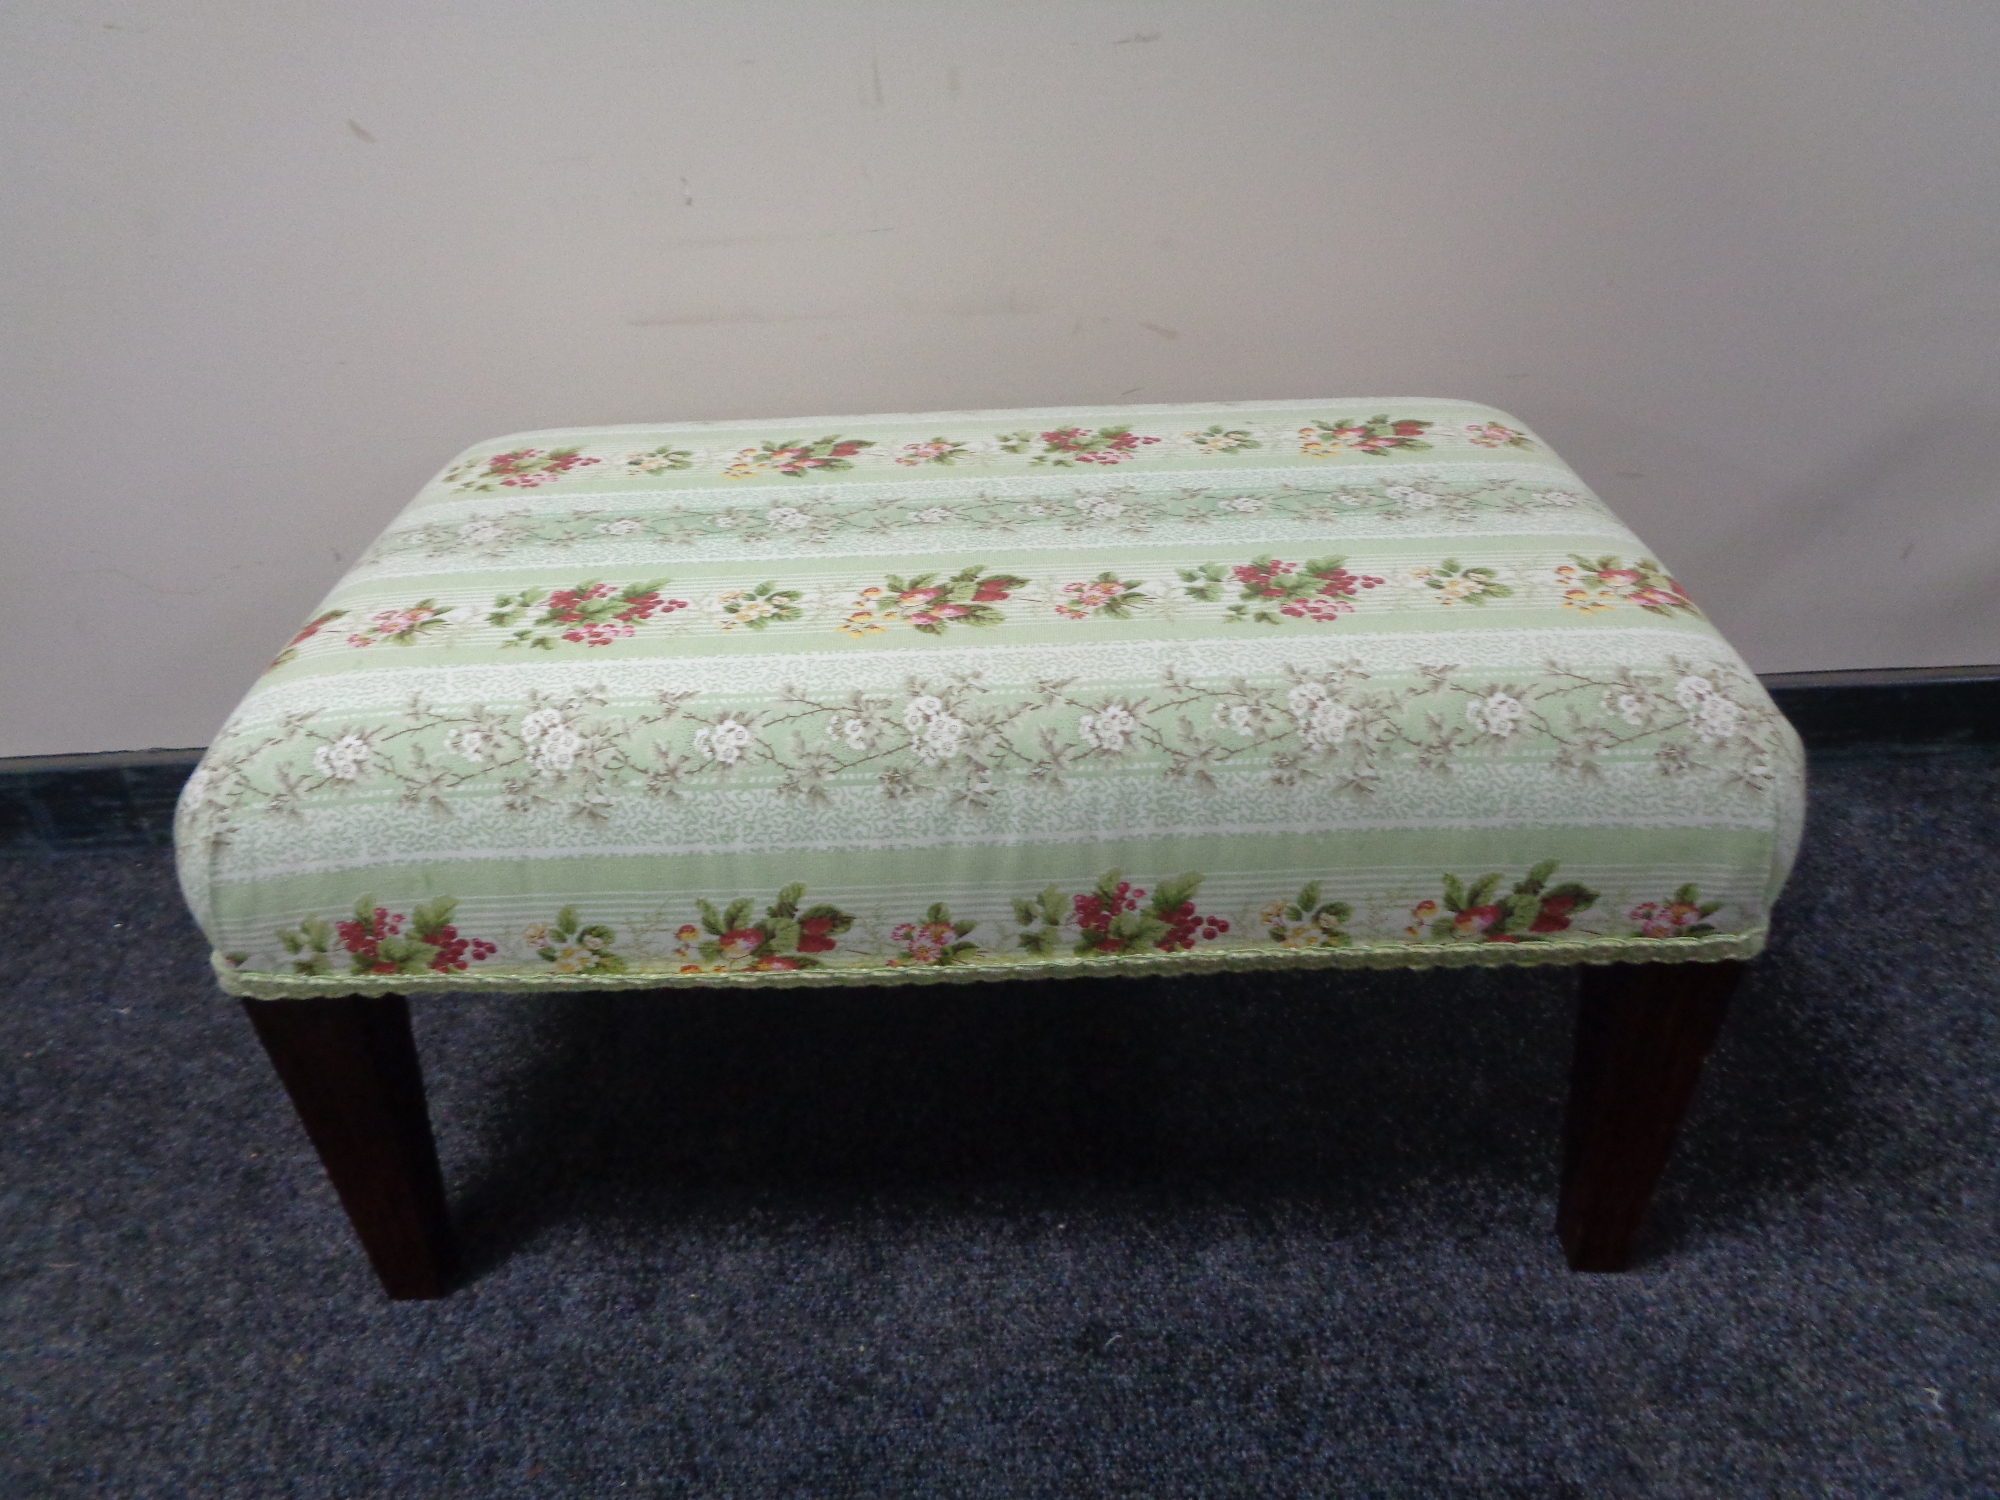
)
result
[(1643, 1033)]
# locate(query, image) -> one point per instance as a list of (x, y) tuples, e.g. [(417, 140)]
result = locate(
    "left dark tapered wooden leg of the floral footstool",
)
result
[(353, 1075)]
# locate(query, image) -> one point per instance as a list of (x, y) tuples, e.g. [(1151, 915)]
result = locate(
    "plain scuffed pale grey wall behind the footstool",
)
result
[(269, 265)]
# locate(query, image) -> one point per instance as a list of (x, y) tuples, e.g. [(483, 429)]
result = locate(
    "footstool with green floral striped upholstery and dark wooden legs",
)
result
[(1131, 691)]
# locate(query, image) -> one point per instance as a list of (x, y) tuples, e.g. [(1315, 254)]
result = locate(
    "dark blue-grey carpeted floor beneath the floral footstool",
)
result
[(1125, 1239)]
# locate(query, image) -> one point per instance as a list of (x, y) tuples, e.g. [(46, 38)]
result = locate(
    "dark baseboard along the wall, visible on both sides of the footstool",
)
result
[(125, 799)]
